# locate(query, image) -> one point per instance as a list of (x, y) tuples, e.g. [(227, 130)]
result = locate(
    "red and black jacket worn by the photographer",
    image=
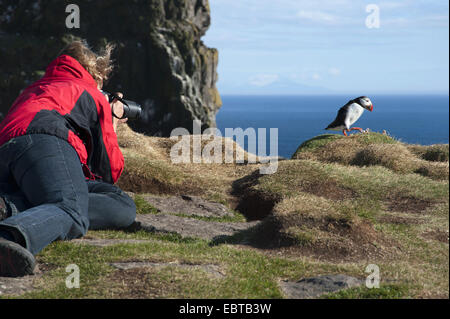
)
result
[(67, 103)]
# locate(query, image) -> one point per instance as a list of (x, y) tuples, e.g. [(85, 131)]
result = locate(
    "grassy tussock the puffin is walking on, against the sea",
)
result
[(371, 149)]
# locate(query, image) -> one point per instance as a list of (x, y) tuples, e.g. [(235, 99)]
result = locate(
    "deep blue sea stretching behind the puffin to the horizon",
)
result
[(415, 119)]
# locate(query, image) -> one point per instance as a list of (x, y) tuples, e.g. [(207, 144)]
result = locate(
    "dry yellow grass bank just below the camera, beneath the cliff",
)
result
[(149, 168)]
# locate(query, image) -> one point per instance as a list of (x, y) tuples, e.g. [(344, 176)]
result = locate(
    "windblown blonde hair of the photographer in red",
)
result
[(99, 65)]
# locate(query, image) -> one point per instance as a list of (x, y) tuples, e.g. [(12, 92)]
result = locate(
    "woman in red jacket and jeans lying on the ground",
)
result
[(59, 160)]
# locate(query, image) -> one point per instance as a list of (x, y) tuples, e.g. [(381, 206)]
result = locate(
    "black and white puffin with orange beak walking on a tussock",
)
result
[(349, 114)]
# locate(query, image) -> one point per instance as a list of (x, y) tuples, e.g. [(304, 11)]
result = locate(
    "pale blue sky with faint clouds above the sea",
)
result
[(308, 47)]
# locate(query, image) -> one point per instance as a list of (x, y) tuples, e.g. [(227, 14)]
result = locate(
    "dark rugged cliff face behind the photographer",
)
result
[(161, 61)]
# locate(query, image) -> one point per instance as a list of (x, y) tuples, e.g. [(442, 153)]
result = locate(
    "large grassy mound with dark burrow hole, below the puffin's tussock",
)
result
[(329, 211)]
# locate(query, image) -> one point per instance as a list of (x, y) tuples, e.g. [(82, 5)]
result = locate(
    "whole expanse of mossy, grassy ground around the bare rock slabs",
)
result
[(323, 212)]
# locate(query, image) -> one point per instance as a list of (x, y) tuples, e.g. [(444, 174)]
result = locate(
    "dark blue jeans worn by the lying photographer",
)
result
[(48, 196)]
